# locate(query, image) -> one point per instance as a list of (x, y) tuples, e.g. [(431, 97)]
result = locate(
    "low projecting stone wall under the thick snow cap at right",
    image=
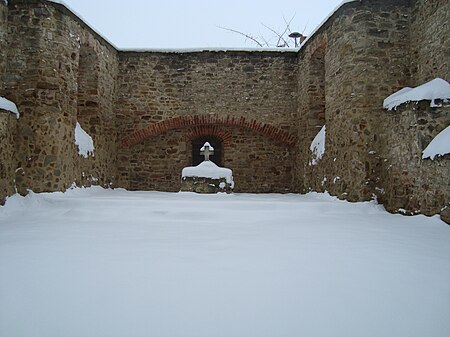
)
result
[(409, 183)]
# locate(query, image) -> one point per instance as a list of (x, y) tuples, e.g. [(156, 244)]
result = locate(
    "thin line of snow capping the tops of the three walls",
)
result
[(196, 50)]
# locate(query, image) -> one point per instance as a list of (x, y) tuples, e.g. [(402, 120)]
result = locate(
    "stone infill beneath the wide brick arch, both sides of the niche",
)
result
[(259, 164)]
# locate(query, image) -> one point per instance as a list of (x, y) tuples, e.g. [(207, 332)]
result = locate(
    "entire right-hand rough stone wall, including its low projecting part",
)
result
[(370, 151)]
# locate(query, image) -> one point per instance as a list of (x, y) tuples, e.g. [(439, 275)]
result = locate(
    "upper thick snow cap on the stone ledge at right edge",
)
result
[(435, 89)]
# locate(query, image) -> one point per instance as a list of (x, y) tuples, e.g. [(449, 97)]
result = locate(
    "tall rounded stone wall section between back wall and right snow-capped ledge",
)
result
[(365, 55)]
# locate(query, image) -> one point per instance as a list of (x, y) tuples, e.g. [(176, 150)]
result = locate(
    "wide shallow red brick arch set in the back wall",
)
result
[(211, 121)]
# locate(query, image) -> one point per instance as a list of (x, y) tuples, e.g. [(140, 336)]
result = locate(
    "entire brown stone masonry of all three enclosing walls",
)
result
[(144, 110)]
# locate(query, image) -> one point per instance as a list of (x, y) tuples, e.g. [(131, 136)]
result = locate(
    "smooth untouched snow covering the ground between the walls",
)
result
[(94, 262)]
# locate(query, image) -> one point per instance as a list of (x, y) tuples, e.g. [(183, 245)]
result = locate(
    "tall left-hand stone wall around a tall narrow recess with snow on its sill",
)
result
[(42, 79)]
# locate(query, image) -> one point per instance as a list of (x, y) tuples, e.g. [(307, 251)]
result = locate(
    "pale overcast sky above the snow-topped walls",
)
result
[(195, 23)]
